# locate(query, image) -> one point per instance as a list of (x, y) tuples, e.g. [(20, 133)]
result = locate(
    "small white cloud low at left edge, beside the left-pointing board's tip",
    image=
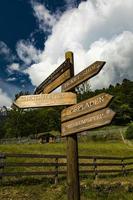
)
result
[(4, 99)]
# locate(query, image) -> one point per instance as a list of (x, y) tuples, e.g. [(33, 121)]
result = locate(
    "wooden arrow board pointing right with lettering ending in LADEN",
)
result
[(95, 103)]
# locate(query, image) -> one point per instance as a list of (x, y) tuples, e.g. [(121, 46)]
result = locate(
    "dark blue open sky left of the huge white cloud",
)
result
[(19, 23)]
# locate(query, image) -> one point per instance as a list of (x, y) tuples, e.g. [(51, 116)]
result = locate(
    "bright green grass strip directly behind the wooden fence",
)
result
[(88, 148)]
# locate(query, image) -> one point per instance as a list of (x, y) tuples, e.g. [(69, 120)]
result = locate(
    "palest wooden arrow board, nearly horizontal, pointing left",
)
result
[(42, 100)]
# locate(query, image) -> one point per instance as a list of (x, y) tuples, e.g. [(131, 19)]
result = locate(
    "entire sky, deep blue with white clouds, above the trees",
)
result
[(35, 34)]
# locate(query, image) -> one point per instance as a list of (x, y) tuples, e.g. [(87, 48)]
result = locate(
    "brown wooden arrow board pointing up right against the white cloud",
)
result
[(84, 75)]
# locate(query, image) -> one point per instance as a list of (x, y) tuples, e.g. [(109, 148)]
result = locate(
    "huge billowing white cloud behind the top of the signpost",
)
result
[(97, 29)]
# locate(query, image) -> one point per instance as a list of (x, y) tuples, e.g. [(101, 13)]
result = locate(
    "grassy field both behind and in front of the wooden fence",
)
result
[(110, 188)]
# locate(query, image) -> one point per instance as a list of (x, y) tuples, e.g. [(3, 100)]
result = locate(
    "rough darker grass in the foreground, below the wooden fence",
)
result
[(101, 189)]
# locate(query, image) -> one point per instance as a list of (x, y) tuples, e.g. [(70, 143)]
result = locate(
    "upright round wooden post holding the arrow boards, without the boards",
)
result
[(72, 159)]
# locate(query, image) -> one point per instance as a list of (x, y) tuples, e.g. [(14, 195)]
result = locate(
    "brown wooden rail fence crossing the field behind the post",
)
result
[(55, 165)]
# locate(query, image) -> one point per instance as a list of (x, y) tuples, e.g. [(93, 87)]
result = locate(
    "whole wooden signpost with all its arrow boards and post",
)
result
[(88, 114)]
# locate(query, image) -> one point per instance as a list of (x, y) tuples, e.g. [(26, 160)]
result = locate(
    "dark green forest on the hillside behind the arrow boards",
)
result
[(23, 123)]
